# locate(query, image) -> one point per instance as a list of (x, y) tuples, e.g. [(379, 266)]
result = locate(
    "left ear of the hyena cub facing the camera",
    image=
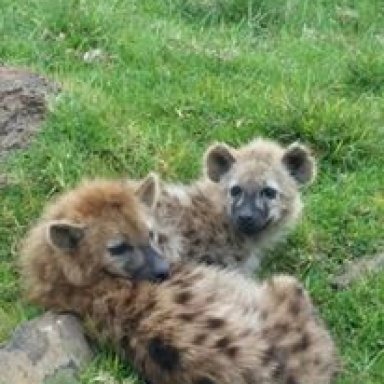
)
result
[(218, 161)]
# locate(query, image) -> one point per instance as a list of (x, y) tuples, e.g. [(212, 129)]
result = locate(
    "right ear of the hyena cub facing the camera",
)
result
[(300, 164)]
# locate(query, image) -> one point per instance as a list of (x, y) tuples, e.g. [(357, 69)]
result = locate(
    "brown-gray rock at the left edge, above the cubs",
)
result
[(23, 104)]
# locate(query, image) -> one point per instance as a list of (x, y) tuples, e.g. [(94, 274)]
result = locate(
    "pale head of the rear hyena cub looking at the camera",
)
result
[(260, 182)]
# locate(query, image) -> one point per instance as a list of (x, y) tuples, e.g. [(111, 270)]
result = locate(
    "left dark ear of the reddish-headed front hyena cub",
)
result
[(64, 235)]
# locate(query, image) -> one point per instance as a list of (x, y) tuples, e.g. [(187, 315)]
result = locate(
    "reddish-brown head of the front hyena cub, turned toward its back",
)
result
[(102, 227)]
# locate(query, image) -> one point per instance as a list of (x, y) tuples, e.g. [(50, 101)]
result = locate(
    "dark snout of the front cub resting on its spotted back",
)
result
[(156, 269)]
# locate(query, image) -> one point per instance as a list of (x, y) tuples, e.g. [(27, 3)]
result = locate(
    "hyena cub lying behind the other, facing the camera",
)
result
[(248, 199)]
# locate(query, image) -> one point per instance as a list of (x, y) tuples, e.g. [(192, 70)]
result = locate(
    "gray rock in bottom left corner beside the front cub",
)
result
[(47, 350)]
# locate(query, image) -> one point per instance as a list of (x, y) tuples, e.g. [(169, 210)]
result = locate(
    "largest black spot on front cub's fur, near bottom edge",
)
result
[(165, 355)]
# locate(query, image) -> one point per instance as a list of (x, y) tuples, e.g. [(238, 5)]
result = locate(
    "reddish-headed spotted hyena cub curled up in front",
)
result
[(92, 254)]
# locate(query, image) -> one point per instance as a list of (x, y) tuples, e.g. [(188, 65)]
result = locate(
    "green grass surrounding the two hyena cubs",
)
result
[(177, 75)]
